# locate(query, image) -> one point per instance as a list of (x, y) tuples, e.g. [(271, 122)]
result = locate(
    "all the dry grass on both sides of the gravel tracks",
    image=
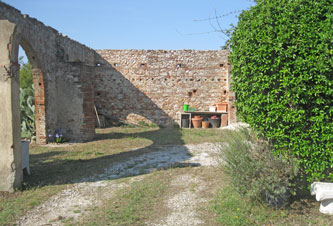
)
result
[(56, 167)]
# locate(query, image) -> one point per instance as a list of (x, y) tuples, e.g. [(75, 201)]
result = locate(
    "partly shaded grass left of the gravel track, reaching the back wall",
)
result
[(55, 167)]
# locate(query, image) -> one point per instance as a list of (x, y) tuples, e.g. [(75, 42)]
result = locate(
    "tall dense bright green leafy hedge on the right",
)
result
[(281, 52)]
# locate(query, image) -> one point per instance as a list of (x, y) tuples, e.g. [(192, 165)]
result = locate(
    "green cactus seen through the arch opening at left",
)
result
[(27, 106)]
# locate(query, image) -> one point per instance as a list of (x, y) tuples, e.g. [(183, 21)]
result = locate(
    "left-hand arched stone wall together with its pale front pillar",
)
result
[(62, 70)]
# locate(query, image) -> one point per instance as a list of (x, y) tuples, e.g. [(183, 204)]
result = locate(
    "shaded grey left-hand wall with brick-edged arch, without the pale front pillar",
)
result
[(62, 70)]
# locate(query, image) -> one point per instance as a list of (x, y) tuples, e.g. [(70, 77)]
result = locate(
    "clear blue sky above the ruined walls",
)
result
[(135, 24)]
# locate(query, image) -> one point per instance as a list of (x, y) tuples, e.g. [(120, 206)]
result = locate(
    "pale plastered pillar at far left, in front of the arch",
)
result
[(10, 132)]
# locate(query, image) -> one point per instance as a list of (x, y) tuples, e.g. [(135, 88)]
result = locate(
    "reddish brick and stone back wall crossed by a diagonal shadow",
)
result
[(153, 85)]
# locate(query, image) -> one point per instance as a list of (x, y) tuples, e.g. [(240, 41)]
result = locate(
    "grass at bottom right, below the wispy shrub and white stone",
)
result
[(233, 209)]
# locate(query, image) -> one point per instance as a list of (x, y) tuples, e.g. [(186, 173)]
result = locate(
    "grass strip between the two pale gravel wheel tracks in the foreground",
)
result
[(133, 205)]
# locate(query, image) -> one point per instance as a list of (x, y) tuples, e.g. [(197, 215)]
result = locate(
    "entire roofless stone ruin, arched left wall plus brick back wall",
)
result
[(70, 79)]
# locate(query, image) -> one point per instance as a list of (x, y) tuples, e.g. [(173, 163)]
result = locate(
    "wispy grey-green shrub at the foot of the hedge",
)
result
[(255, 172)]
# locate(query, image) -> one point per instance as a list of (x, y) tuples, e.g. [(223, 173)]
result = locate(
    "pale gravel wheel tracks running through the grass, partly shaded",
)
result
[(75, 201)]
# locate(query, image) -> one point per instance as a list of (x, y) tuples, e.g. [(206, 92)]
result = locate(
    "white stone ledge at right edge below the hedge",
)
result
[(324, 195)]
